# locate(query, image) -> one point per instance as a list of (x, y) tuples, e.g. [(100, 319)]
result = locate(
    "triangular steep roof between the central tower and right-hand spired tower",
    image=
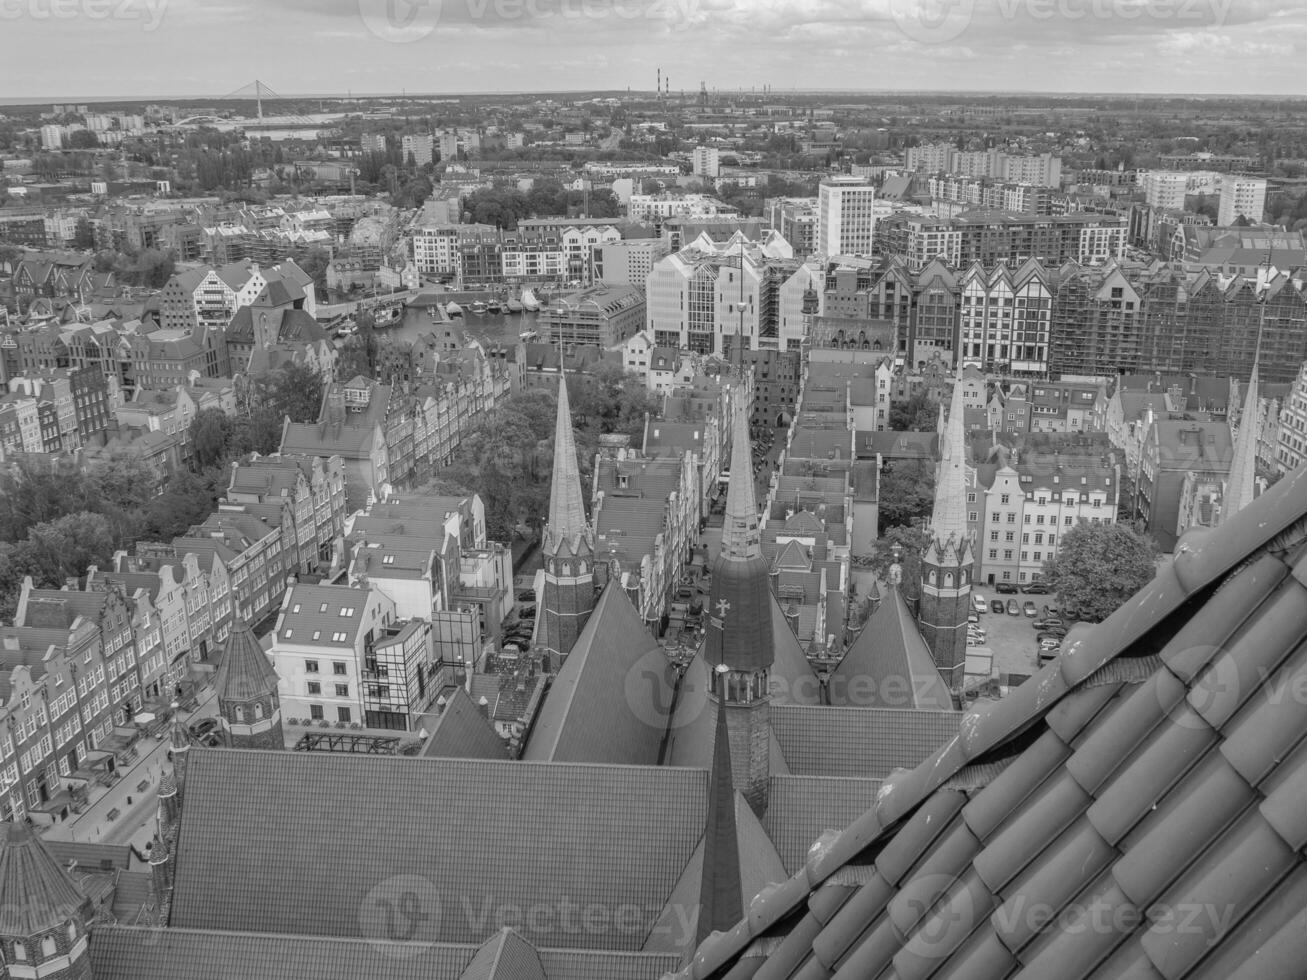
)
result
[(889, 664)]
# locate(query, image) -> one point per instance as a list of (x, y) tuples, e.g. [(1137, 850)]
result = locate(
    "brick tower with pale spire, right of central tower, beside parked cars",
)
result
[(950, 560)]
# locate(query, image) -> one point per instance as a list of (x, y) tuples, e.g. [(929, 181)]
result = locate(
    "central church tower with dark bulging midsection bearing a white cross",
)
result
[(739, 646)]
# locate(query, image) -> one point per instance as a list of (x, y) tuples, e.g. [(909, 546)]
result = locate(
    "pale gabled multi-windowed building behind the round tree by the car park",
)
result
[(1020, 512)]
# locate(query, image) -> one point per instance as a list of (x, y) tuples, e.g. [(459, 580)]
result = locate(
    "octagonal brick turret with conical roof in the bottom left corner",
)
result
[(44, 931)]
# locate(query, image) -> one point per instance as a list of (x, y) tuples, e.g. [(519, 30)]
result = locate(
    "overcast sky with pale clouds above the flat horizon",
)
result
[(212, 48)]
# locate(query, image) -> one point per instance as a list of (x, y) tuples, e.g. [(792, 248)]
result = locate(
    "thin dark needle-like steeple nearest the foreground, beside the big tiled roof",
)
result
[(721, 896)]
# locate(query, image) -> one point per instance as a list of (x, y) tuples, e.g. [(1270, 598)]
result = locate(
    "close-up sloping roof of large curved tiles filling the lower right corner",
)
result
[(1134, 811)]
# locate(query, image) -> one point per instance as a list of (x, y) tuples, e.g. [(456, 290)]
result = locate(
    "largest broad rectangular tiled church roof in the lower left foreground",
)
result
[(303, 842)]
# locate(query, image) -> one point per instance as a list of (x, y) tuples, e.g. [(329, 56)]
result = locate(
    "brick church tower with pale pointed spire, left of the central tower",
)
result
[(568, 596)]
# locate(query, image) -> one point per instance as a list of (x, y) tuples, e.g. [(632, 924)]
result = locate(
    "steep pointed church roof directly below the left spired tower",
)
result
[(604, 706)]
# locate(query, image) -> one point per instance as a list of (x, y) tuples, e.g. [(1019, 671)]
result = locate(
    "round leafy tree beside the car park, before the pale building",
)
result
[(1100, 566)]
